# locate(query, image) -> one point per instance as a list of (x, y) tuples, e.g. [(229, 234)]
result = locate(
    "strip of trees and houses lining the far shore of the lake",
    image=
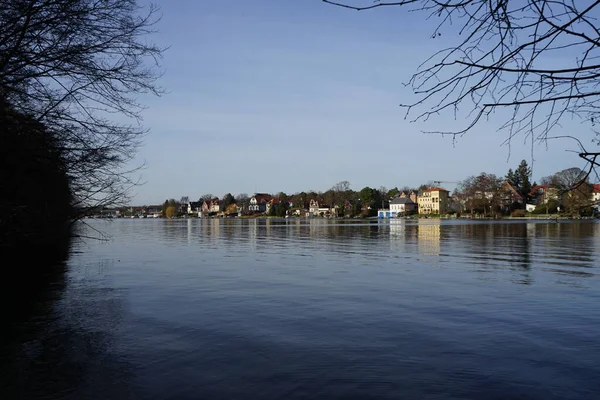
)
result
[(566, 193)]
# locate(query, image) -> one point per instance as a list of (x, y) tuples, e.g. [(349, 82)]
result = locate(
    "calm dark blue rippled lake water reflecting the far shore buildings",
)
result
[(231, 309)]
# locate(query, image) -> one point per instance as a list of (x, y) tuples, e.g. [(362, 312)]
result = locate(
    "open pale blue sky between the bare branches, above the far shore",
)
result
[(297, 95)]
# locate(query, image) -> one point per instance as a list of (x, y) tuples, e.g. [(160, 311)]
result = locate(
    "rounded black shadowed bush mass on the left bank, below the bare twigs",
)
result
[(35, 205)]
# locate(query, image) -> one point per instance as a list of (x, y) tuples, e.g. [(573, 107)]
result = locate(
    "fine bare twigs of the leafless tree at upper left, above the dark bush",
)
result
[(77, 66)]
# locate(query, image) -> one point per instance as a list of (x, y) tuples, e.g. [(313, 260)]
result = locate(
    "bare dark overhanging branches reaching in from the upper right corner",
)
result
[(538, 59)]
